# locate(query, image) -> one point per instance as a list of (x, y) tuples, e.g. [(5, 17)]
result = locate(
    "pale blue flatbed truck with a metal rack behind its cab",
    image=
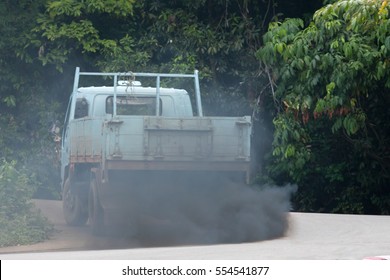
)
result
[(125, 135)]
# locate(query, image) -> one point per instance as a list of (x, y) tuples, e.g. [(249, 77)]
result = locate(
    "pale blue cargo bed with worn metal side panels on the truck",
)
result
[(150, 142)]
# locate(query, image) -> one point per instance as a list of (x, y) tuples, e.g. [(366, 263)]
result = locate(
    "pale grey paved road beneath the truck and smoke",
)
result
[(310, 237)]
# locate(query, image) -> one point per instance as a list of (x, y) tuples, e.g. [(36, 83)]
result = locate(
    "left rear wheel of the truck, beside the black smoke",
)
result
[(96, 213)]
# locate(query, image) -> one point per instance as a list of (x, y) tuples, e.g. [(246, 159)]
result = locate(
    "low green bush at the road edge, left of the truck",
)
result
[(20, 223)]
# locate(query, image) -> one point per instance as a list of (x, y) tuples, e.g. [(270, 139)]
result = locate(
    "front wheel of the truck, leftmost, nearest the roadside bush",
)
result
[(73, 207)]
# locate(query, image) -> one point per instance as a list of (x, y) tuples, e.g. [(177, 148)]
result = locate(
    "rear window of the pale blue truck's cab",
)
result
[(133, 105)]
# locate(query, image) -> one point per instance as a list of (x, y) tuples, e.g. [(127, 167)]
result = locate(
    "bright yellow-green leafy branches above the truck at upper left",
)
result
[(69, 27)]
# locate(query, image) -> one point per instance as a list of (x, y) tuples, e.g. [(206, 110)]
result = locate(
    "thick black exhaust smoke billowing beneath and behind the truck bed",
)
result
[(177, 210)]
